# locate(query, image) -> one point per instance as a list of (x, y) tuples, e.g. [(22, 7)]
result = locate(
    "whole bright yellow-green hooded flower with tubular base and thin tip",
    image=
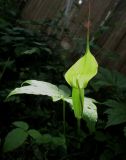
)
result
[(78, 77)]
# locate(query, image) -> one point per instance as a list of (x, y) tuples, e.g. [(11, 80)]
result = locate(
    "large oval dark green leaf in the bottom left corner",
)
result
[(14, 139)]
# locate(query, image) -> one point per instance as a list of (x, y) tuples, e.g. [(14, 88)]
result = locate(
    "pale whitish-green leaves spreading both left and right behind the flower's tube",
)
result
[(35, 87)]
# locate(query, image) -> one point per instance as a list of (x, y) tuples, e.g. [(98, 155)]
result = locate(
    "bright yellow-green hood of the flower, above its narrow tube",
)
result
[(82, 71)]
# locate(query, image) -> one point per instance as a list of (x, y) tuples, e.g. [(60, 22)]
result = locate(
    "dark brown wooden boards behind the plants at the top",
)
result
[(107, 18)]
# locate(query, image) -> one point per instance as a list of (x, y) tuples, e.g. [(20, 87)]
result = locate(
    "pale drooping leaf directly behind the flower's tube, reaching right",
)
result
[(89, 112)]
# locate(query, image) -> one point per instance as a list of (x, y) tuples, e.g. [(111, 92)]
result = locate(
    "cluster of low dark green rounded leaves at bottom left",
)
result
[(17, 137)]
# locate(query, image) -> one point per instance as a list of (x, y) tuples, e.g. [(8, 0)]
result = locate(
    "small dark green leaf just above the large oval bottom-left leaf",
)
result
[(21, 124)]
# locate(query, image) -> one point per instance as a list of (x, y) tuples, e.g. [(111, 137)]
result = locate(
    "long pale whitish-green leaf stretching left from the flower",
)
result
[(40, 88)]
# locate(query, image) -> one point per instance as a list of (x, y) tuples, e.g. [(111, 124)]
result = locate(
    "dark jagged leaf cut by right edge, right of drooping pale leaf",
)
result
[(116, 113)]
